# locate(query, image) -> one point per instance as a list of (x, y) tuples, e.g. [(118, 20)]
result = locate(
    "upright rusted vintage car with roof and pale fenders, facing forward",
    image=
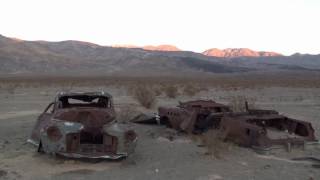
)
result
[(82, 125)]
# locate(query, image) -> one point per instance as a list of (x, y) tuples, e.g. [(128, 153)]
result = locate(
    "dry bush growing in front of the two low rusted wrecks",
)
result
[(215, 144)]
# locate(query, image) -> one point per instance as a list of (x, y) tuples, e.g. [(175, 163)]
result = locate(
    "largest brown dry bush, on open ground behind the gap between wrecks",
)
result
[(145, 96)]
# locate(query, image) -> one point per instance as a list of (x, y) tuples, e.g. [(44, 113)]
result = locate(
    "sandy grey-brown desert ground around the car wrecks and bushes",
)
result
[(156, 156)]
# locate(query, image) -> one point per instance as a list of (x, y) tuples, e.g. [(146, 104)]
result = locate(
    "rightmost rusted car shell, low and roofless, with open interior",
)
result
[(265, 129)]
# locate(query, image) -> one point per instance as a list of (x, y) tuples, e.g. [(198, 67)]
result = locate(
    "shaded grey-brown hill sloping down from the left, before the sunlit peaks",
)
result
[(18, 56)]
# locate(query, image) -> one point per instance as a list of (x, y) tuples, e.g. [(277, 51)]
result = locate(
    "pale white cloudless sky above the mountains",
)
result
[(284, 26)]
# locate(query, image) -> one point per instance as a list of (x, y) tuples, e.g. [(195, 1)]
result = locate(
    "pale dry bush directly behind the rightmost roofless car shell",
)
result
[(237, 103)]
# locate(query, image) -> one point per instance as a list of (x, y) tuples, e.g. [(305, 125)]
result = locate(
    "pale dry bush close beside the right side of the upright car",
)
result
[(126, 113)]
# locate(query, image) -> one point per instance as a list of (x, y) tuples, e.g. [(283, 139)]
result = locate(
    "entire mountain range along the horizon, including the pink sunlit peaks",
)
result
[(77, 57)]
